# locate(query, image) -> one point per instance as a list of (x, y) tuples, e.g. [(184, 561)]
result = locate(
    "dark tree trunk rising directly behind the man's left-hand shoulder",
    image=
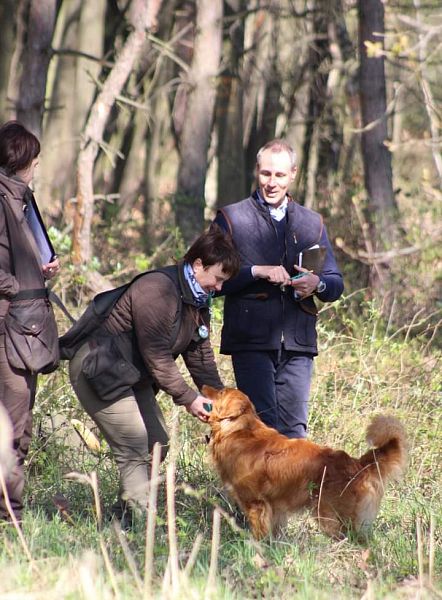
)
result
[(229, 113)]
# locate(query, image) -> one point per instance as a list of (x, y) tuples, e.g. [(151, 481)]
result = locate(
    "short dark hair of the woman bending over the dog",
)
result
[(213, 247)]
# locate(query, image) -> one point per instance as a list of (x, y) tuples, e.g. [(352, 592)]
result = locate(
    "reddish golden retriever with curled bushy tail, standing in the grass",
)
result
[(271, 476)]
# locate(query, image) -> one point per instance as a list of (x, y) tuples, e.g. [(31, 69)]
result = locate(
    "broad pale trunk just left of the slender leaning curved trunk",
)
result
[(71, 88)]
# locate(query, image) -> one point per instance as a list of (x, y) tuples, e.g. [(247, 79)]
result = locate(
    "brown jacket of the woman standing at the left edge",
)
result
[(24, 249)]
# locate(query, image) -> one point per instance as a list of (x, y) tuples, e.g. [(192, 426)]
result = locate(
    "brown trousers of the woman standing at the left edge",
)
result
[(17, 394)]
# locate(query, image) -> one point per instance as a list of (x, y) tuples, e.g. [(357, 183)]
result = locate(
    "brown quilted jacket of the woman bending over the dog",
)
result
[(149, 307)]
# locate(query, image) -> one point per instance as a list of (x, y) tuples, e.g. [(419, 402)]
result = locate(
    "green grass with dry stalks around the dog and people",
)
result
[(358, 373)]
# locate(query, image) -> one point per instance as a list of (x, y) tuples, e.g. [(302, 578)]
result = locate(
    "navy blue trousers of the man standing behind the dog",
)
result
[(278, 384)]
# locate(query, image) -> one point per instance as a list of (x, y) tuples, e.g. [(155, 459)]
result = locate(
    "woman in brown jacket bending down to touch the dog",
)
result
[(162, 314)]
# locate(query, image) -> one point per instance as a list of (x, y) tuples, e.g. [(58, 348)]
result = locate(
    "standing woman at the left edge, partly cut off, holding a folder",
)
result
[(26, 260)]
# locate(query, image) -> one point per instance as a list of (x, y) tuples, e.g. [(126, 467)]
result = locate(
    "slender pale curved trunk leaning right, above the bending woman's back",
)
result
[(142, 19)]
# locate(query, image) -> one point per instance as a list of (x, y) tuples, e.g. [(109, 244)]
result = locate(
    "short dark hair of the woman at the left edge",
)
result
[(18, 147)]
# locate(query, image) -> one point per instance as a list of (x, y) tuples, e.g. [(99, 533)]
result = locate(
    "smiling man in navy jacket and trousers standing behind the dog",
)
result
[(270, 319)]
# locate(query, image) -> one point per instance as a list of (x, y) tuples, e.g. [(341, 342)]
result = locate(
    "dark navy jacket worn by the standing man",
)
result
[(257, 314)]
